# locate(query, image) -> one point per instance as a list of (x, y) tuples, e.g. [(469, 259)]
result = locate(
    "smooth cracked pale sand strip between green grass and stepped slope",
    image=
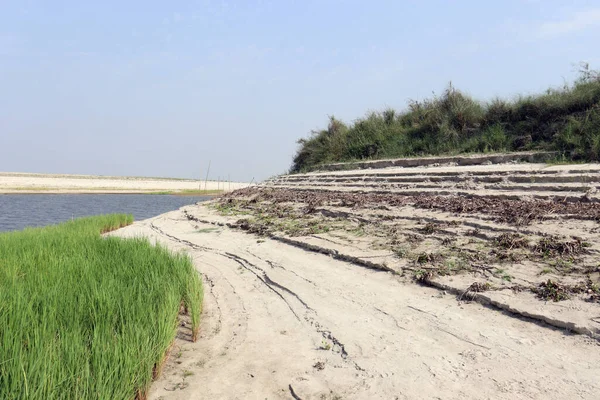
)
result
[(280, 322)]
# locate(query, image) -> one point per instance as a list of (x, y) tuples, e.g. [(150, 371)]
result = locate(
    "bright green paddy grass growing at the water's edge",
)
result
[(86, 316)]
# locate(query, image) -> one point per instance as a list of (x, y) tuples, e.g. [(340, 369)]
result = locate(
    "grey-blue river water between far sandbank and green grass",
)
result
[(18, 211)]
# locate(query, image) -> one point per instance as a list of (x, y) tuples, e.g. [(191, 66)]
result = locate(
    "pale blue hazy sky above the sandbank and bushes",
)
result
[(159, 88)]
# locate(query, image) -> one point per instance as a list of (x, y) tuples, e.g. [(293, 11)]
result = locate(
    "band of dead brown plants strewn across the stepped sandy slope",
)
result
[(500, 241)]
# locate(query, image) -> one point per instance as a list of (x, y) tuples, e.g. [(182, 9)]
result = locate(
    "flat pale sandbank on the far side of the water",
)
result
[(13, 182)]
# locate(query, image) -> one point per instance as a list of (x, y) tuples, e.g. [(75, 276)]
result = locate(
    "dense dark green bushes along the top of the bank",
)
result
[(565, 120)]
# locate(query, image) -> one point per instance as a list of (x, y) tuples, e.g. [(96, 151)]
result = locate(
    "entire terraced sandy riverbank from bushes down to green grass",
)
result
[(428, 282)]
